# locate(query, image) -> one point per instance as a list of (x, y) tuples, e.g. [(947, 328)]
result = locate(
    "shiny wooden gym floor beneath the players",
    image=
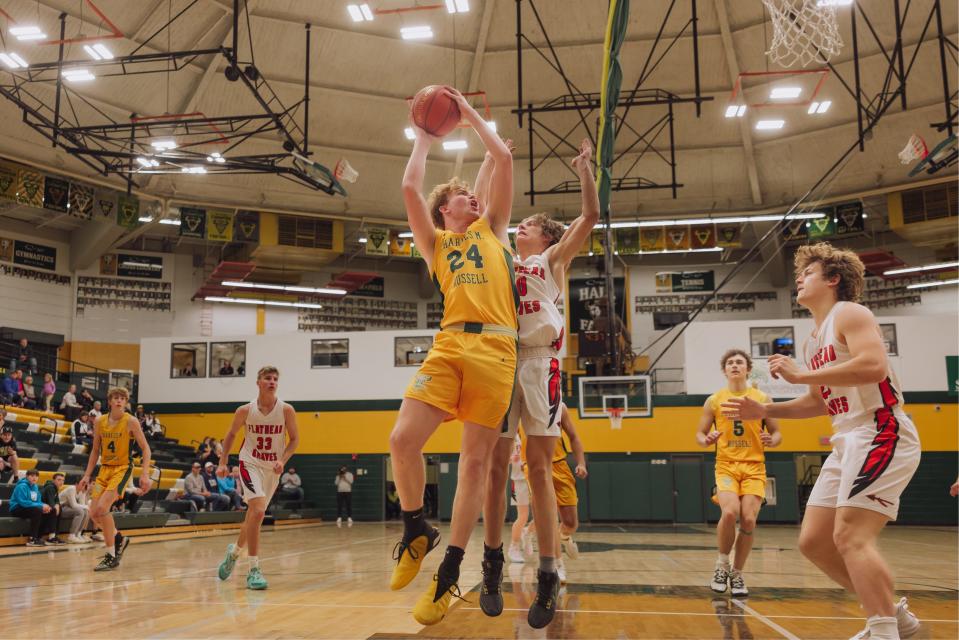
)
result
[(630, 581)]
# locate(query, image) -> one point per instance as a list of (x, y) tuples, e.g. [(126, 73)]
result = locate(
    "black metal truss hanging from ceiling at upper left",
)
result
[(111, 146)]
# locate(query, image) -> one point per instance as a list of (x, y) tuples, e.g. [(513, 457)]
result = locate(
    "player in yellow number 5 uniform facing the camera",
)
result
[(740, 469)]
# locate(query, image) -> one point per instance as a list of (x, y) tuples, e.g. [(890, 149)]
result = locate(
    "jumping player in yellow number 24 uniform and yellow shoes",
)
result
[(471, 366)]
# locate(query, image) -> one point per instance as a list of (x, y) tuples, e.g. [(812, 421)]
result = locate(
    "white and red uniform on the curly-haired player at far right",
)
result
[(876, 447)]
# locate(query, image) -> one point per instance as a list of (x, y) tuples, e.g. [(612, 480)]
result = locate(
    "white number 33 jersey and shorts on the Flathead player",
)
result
[(263, 446)]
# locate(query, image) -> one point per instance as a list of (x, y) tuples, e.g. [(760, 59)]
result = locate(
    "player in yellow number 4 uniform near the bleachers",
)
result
[(112, 433)]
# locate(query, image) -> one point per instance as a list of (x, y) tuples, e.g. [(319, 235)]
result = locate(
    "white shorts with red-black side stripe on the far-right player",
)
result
[(869, 468)]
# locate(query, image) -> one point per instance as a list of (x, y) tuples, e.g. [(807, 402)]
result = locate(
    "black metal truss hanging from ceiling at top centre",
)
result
[(640, 140)]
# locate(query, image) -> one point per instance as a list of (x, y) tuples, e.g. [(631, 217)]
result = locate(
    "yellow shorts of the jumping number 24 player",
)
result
[(470, 376)]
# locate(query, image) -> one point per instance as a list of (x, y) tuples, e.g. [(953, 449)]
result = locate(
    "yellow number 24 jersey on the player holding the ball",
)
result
[(474, 273)]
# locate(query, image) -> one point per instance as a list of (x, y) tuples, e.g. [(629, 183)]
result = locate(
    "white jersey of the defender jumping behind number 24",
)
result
[(540, 322)]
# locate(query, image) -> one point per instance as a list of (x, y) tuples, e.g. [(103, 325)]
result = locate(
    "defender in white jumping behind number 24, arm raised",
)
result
[(545, 252)]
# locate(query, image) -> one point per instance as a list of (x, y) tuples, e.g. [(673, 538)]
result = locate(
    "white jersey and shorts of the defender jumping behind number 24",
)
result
[(536, 394)]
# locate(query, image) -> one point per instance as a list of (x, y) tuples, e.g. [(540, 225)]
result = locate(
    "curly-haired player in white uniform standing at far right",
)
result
[(875, 445)]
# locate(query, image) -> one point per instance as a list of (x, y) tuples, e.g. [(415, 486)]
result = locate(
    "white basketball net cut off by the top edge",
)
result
[(804, 31)]
